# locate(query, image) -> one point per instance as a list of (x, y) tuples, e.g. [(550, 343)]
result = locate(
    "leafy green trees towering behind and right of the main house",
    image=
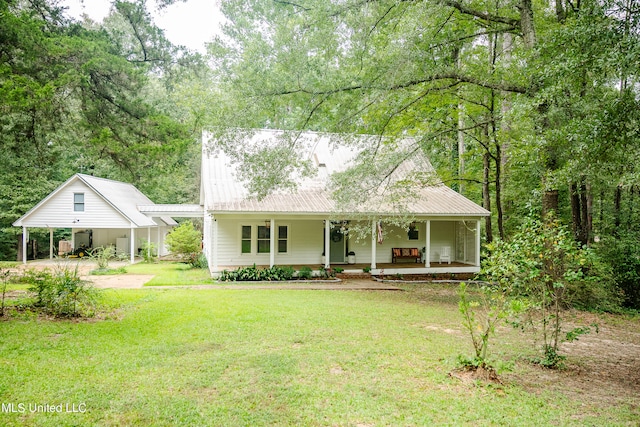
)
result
[(533, 85)]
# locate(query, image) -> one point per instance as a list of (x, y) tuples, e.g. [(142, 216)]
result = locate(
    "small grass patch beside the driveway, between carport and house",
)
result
[(172, 274)]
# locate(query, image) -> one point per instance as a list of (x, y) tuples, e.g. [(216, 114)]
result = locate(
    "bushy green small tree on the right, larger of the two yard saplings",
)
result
[(543, 266)]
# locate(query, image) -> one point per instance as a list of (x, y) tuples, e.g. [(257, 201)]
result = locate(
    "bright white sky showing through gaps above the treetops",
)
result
[(191, 23)]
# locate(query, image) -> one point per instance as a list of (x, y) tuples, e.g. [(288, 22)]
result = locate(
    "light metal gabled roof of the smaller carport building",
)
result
[(122, 197)]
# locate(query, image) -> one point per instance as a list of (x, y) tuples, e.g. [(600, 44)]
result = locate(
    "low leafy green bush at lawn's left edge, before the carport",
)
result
[(61, 292)]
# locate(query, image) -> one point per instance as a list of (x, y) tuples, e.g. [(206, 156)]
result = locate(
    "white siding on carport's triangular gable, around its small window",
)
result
[(59, 210)]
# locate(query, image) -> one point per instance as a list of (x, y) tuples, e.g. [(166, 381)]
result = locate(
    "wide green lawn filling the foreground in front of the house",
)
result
[(266, 357)]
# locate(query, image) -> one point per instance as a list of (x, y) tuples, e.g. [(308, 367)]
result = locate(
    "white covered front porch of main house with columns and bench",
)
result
[(437, 244)]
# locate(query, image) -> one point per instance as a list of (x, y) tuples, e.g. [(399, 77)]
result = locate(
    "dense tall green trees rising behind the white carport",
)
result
[(75, 98)]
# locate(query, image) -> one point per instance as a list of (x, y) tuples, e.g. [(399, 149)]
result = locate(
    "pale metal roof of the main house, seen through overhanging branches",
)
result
[(225, 191)]
